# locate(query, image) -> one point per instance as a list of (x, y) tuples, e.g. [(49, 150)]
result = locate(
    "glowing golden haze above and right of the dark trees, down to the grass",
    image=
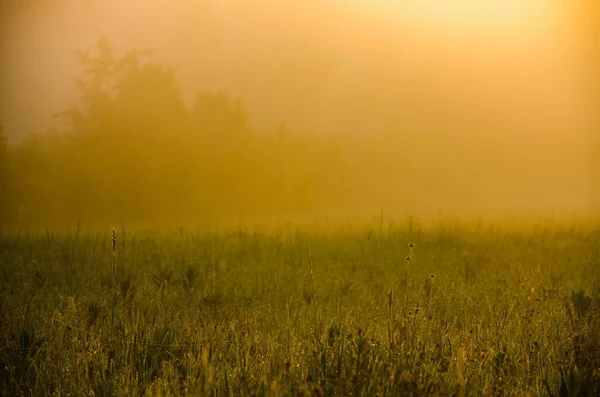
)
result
[(509, 85)]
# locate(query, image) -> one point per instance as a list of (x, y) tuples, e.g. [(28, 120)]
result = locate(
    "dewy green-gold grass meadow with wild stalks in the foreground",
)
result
[(479, 309)]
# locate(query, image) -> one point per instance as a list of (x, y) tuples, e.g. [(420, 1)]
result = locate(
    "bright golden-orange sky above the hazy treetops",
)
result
[(327, 66)]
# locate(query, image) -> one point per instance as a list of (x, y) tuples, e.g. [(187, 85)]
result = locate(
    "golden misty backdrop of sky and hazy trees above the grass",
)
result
[(269, 108)]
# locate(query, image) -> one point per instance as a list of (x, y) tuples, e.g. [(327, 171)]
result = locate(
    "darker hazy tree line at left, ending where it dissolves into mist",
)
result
[(131, 151)]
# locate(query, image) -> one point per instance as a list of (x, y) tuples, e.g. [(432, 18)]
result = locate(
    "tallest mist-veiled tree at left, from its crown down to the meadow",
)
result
[(121, 134)]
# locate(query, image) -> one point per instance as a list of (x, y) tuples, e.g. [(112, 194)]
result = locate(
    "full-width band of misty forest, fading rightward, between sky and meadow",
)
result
[(131, 151)]
